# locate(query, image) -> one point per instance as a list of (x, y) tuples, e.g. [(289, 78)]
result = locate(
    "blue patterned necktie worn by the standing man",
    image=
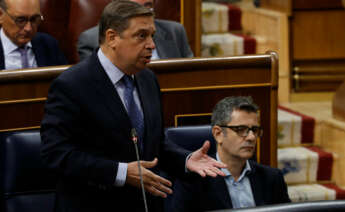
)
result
[(133, 111)]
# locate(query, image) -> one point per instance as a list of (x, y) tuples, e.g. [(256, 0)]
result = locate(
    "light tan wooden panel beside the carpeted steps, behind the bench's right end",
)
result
[(271, 31)]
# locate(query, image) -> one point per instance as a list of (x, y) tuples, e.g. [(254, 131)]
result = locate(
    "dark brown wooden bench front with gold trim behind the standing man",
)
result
[(189, 86)]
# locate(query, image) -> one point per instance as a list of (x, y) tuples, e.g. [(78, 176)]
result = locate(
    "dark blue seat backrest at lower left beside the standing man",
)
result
[(25, 184)]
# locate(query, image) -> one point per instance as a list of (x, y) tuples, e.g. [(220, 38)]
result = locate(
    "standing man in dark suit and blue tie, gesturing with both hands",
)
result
[(89, 115)]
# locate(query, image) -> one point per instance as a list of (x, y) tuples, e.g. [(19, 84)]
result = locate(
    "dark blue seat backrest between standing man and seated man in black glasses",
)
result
[(191, 137)]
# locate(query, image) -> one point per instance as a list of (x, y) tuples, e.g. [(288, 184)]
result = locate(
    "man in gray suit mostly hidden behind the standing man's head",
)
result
[(170, 39)]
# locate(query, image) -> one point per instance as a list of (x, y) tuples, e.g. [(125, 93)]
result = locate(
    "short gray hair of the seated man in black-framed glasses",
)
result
[(221, 114)]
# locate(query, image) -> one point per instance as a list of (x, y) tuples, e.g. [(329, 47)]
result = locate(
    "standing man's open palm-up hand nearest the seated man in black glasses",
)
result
[(203, 164)]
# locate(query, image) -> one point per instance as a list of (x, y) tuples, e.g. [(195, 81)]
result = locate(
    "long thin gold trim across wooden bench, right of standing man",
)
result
[(215, 87)]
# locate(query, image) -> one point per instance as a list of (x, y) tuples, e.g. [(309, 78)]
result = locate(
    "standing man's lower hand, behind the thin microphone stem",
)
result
[(153, 183)]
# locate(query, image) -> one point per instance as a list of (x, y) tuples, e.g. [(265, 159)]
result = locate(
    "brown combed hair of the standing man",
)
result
[(117, 14)]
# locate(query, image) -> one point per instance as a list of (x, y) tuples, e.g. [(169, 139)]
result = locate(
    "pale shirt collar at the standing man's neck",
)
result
[(114, 73)]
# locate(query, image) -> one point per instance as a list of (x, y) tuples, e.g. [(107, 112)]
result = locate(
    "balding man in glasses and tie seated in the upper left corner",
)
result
[(20, 44)]
